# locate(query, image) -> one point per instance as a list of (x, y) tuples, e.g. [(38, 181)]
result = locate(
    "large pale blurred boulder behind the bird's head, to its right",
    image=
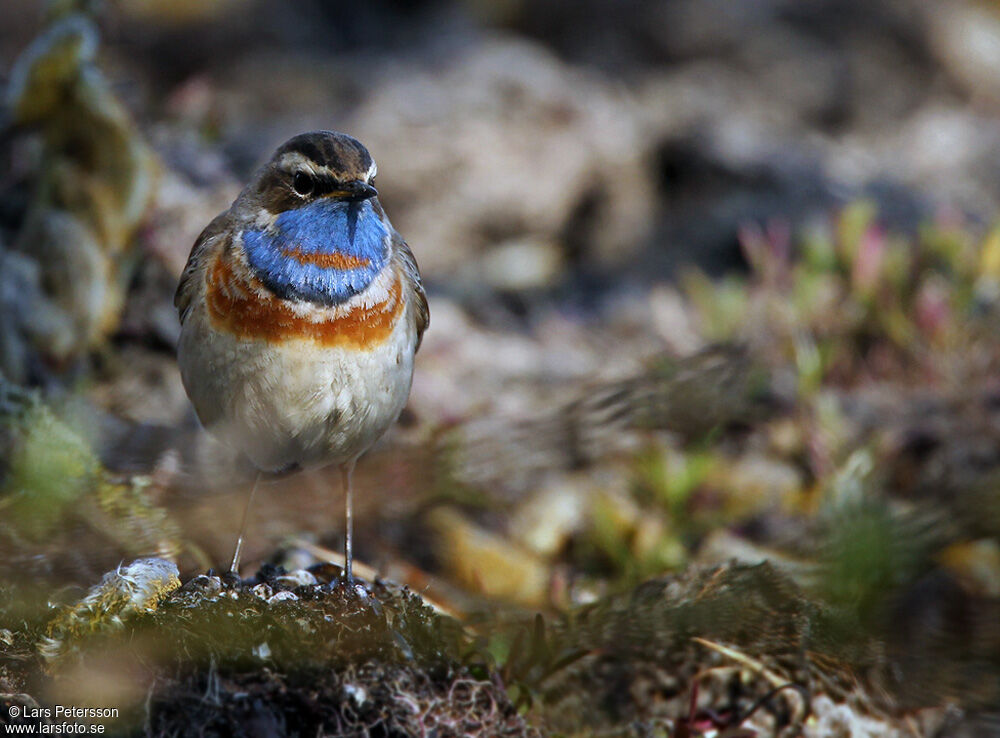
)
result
[(504, 144)]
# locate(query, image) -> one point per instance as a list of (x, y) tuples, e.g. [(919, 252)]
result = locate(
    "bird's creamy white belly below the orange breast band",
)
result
[(295, 403)]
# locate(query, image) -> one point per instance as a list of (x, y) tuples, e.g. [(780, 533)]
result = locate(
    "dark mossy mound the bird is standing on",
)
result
[(284, 654)]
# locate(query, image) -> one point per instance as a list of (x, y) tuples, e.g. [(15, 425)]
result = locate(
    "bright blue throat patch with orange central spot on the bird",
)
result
[(325, 252)]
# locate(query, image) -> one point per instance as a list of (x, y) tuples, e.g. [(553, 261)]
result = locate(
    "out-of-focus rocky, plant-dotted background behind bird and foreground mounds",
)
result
[(708, 280)]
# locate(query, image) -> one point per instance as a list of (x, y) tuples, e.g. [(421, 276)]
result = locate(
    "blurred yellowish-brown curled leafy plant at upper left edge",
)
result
[(93, 190)]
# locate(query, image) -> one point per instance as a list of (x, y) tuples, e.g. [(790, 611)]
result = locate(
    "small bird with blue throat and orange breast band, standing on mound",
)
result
[(301, 311)]
